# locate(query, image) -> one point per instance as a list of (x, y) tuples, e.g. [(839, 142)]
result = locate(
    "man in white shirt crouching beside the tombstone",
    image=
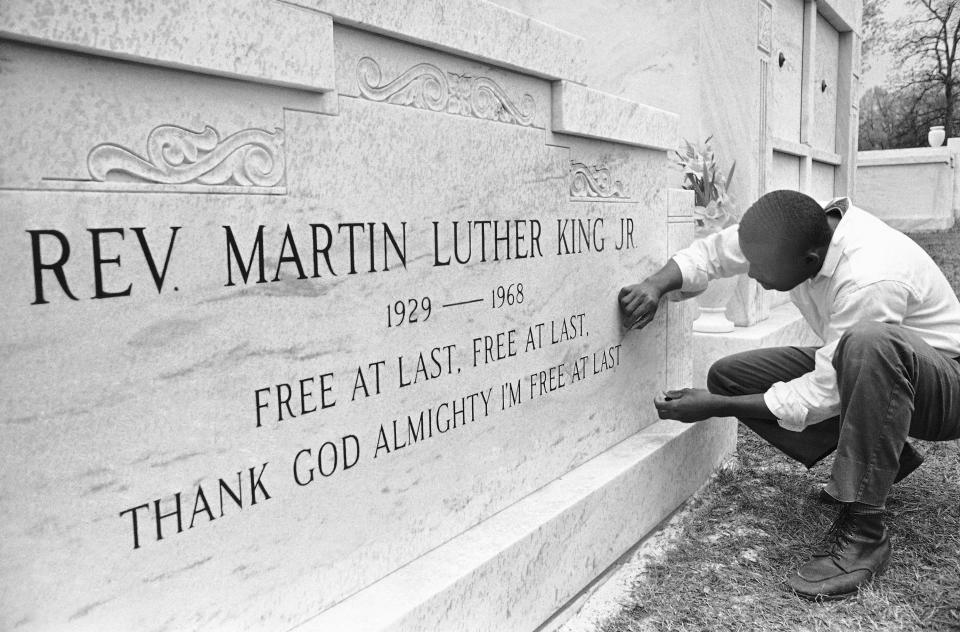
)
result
[(889, 368)]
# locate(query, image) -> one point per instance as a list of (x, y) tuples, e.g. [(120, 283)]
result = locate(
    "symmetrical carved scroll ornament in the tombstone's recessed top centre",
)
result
[(427, 87)]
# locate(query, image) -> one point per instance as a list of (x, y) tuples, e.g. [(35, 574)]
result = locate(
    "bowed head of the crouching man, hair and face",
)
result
[(784, 235)]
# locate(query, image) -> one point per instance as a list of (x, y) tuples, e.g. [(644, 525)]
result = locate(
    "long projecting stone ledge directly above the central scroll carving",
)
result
[(473, 28)]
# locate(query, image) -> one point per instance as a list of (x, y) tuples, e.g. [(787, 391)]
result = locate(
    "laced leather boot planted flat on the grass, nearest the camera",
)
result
[(855, 550)]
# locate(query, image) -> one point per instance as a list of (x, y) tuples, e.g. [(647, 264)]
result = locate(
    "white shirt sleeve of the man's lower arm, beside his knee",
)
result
[(814, 396)]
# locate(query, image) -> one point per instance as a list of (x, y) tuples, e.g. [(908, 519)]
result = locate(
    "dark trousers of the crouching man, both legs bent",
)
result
[(892, 386)]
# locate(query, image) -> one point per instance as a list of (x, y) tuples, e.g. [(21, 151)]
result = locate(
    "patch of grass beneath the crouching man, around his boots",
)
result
[(757, 522)]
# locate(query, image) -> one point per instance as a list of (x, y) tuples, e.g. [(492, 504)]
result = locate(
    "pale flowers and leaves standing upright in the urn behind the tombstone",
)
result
[(716, 208)]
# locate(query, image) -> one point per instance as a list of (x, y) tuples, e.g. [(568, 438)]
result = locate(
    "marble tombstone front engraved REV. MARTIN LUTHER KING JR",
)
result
[(274, 330)]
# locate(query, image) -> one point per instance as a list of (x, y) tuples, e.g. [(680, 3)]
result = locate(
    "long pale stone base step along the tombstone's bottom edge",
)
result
[(516, 569)]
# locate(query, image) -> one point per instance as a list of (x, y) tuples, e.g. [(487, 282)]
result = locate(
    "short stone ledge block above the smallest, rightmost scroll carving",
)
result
[(582, 111)]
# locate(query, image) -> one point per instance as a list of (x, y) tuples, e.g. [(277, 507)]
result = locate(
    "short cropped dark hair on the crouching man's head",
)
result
[(788, 219)]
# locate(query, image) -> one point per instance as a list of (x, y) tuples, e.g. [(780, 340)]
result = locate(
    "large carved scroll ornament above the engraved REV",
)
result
[(176, 155)]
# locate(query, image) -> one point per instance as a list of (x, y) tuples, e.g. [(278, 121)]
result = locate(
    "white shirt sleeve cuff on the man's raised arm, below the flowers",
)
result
[(712, 257)]
